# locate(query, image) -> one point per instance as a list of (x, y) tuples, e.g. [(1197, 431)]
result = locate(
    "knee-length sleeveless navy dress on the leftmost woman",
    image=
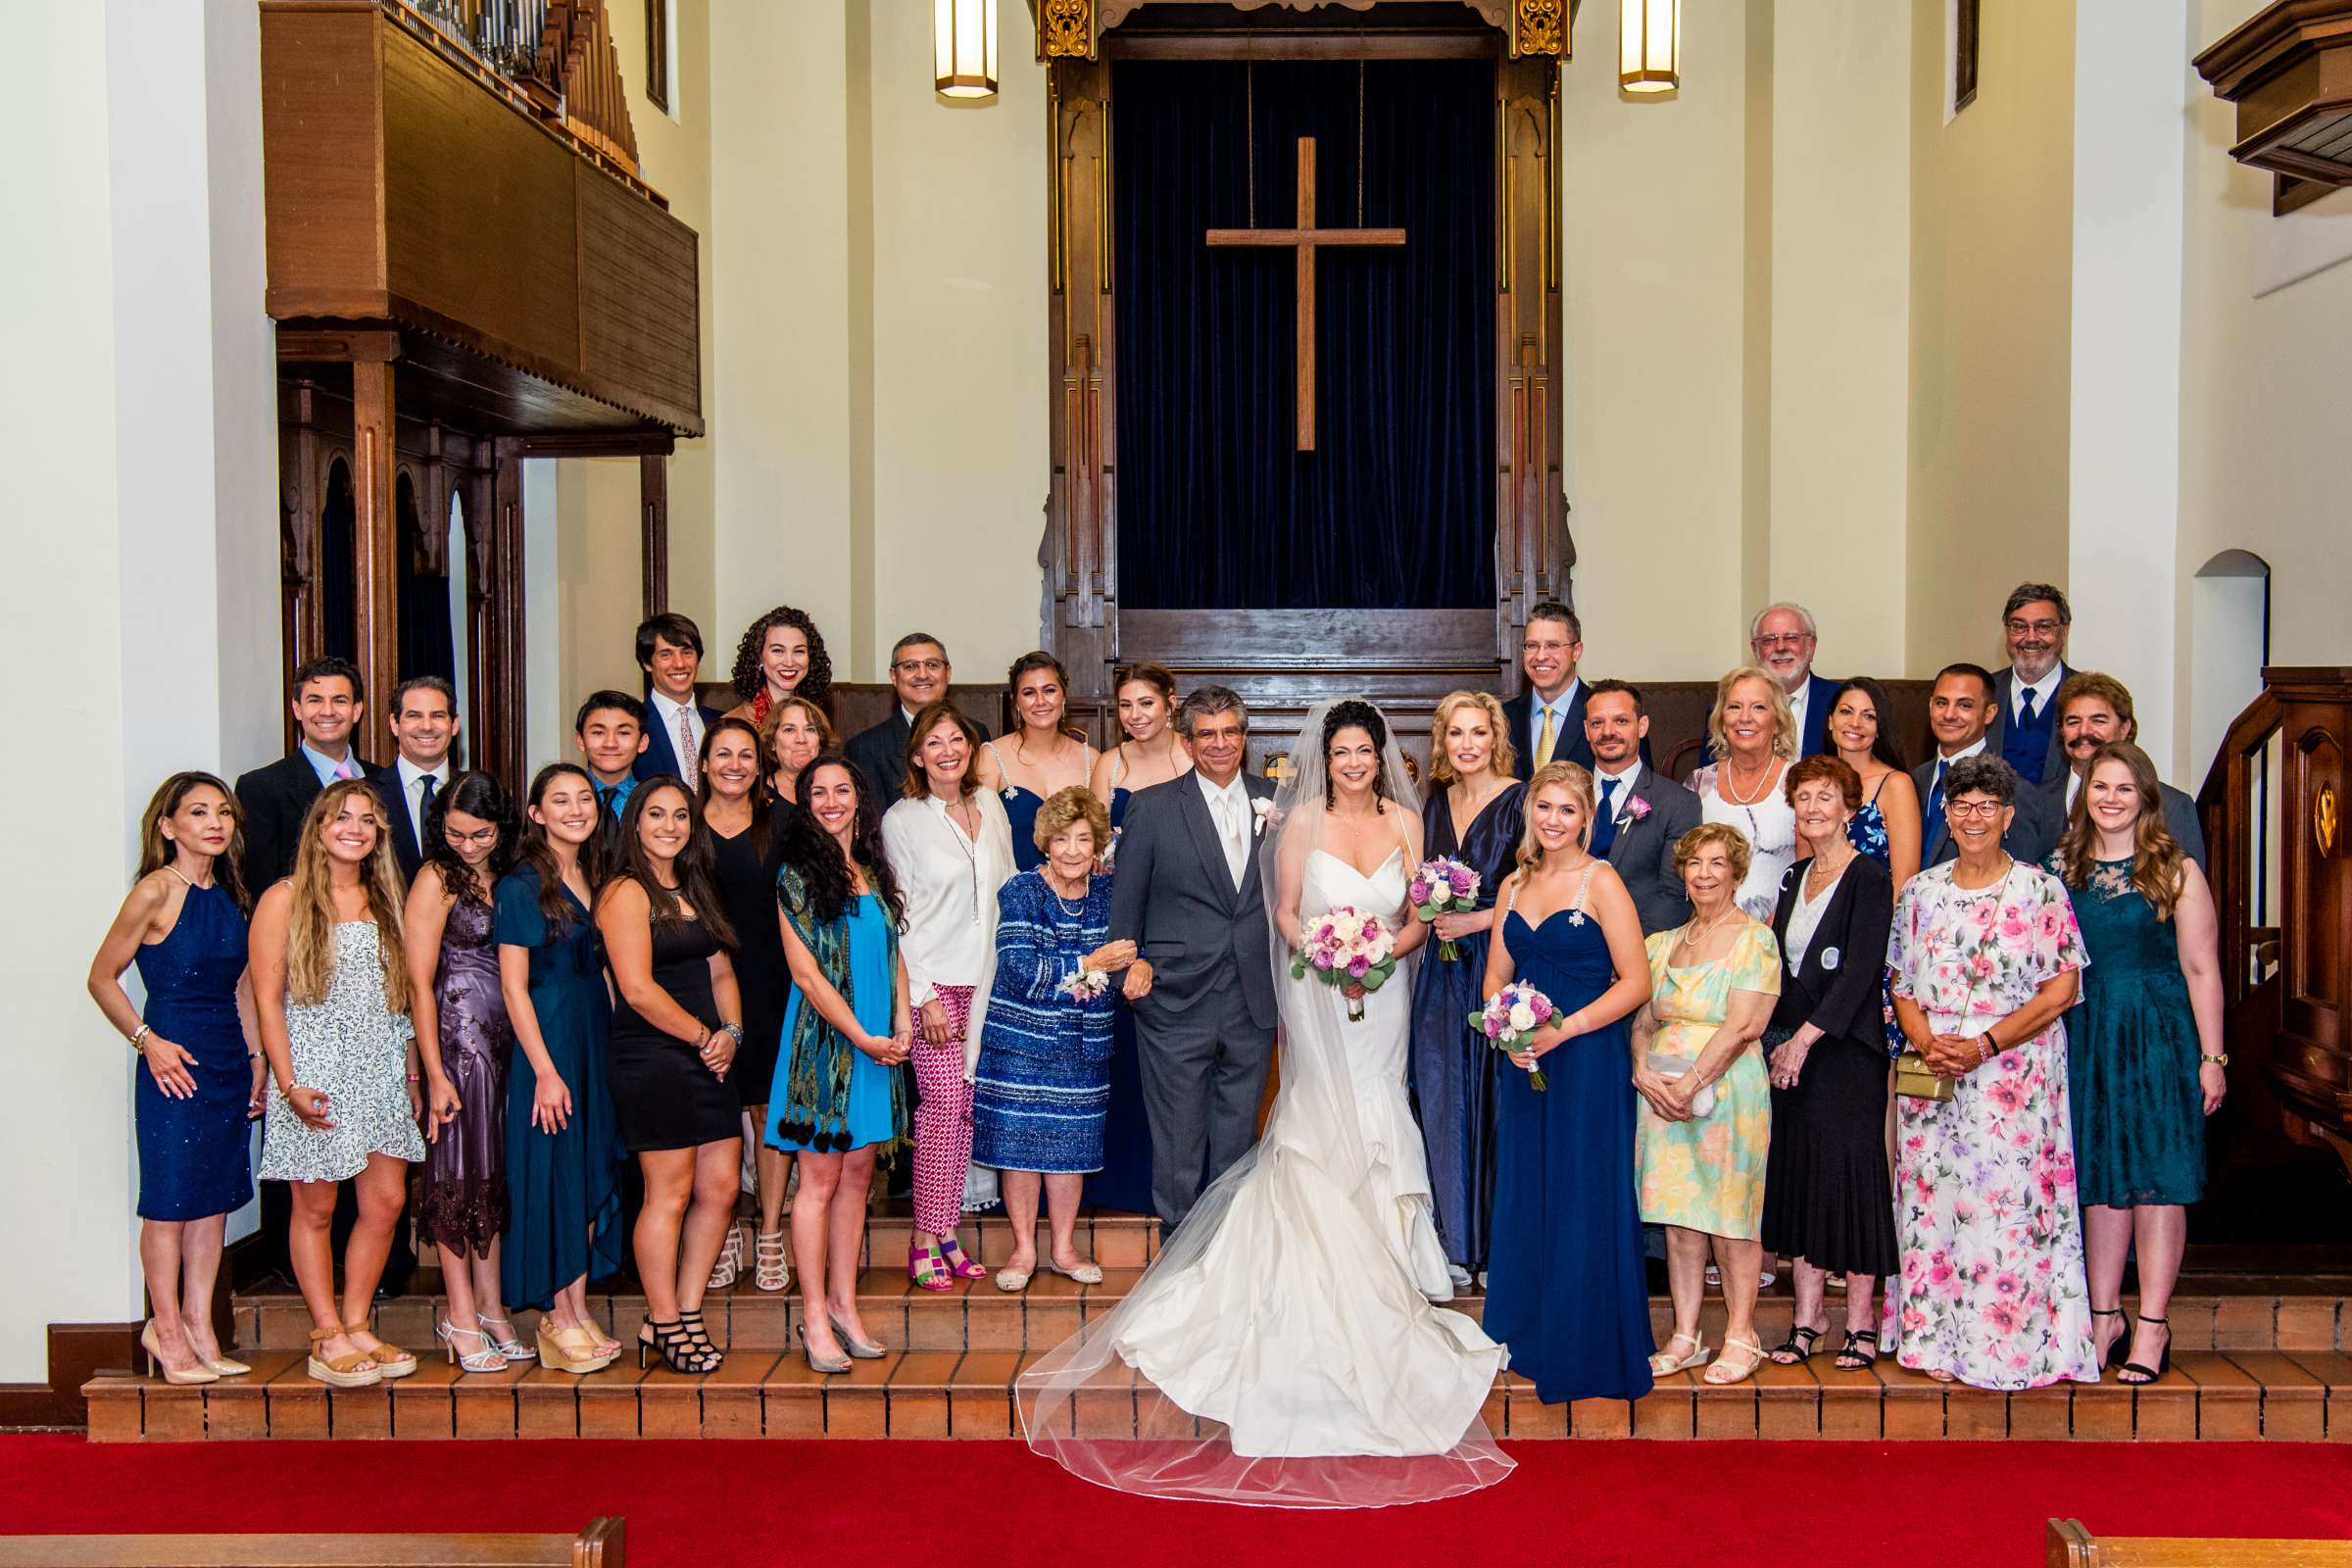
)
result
[(196, 1153)]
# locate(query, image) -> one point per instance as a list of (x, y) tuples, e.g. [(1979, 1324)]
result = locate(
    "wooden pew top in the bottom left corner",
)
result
[(601, 1546)]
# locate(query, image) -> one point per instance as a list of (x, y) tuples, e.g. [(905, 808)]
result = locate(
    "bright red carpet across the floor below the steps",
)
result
[(719, 1506)]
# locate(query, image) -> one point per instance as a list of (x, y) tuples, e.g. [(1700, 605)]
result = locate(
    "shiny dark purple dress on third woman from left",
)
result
[(462, 1200)]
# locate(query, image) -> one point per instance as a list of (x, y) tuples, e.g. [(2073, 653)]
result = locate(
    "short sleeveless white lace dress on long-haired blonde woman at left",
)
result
[(356, 1052)]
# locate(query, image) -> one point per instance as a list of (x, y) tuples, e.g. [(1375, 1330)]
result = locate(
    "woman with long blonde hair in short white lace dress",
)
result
[(333, 1005)]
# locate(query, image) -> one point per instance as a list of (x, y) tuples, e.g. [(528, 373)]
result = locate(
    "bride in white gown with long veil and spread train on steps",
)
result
[(1285, 1348)]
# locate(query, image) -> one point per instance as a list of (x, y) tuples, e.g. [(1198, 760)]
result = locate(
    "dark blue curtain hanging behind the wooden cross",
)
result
[(1396, 504)]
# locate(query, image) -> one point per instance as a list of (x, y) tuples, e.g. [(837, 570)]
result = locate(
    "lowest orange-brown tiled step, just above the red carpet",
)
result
[(968, 1395)]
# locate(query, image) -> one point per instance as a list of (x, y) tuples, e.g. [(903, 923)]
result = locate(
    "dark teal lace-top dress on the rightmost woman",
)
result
[(2132, 1052)]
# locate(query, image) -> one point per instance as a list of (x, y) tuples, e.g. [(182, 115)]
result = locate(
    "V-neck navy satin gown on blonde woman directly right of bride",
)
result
[(1455, 1071)]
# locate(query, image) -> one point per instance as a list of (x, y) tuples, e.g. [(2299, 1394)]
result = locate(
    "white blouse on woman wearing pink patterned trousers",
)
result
[(949, 885)]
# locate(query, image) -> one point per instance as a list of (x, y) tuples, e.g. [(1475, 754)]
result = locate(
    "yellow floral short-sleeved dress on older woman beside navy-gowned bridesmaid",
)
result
[(1709, 1172)]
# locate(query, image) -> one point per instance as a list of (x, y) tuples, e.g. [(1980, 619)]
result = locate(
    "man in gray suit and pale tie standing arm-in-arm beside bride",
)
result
[(1191, 899)]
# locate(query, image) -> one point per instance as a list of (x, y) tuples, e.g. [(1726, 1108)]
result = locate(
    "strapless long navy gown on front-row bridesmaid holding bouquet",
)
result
[(1568, 1289)]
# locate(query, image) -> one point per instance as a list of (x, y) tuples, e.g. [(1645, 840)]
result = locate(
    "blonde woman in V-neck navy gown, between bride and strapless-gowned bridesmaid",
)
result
[(1474, 815)]
